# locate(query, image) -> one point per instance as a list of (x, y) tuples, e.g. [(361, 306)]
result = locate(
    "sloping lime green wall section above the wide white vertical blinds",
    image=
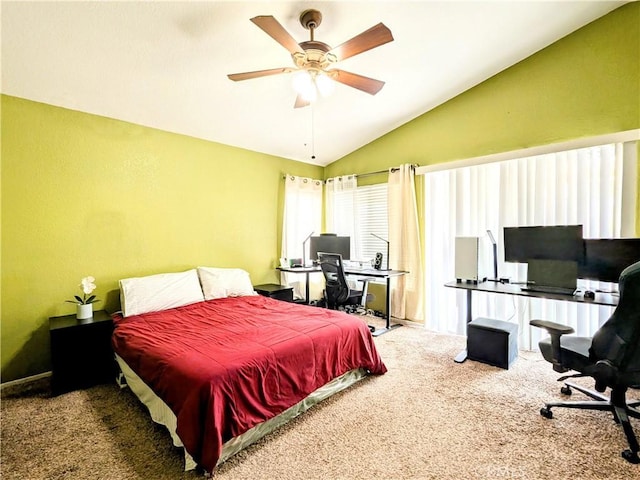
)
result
[(586, 84)]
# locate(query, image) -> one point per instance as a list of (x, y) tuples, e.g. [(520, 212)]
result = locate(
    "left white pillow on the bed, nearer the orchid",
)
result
[(159, 292)]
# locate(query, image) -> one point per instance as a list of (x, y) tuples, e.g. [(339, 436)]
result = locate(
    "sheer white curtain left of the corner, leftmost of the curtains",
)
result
[(302, 216)]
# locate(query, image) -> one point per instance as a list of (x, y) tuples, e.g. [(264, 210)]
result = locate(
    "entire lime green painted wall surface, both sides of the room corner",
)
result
[(85, 195)]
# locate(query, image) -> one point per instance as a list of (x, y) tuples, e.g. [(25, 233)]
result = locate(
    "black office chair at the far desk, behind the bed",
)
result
[(337, 292)]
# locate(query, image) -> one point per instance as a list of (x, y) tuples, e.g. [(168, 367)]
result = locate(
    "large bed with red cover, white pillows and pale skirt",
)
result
[(220, 366)]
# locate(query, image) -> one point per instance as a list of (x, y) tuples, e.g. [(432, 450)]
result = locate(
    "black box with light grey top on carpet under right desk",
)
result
[(492, 341)]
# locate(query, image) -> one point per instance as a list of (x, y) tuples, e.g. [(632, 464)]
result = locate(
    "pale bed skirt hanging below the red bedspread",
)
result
[(162, 414)]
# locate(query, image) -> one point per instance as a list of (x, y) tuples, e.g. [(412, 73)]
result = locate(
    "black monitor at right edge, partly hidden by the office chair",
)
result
[(607, 257)]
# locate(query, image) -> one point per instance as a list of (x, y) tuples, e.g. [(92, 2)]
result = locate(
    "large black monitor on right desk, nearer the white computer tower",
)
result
[(555, 242)]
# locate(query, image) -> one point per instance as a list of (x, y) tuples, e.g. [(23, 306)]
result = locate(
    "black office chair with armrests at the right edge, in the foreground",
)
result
[(611, 357)]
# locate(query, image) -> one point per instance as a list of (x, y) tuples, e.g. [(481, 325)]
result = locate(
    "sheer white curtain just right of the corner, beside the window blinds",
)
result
[(341, 209)]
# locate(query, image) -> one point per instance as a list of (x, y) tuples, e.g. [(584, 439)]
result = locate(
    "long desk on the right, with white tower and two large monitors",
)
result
[(511, 289)]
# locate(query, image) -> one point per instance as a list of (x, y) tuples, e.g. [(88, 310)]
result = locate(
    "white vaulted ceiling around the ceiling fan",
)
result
[(164, 64)]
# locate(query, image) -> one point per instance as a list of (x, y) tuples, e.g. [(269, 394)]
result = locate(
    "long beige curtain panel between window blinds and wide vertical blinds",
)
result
[(407, 294)]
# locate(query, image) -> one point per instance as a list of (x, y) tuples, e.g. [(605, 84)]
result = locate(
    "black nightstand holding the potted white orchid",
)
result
[(81, 353)]
